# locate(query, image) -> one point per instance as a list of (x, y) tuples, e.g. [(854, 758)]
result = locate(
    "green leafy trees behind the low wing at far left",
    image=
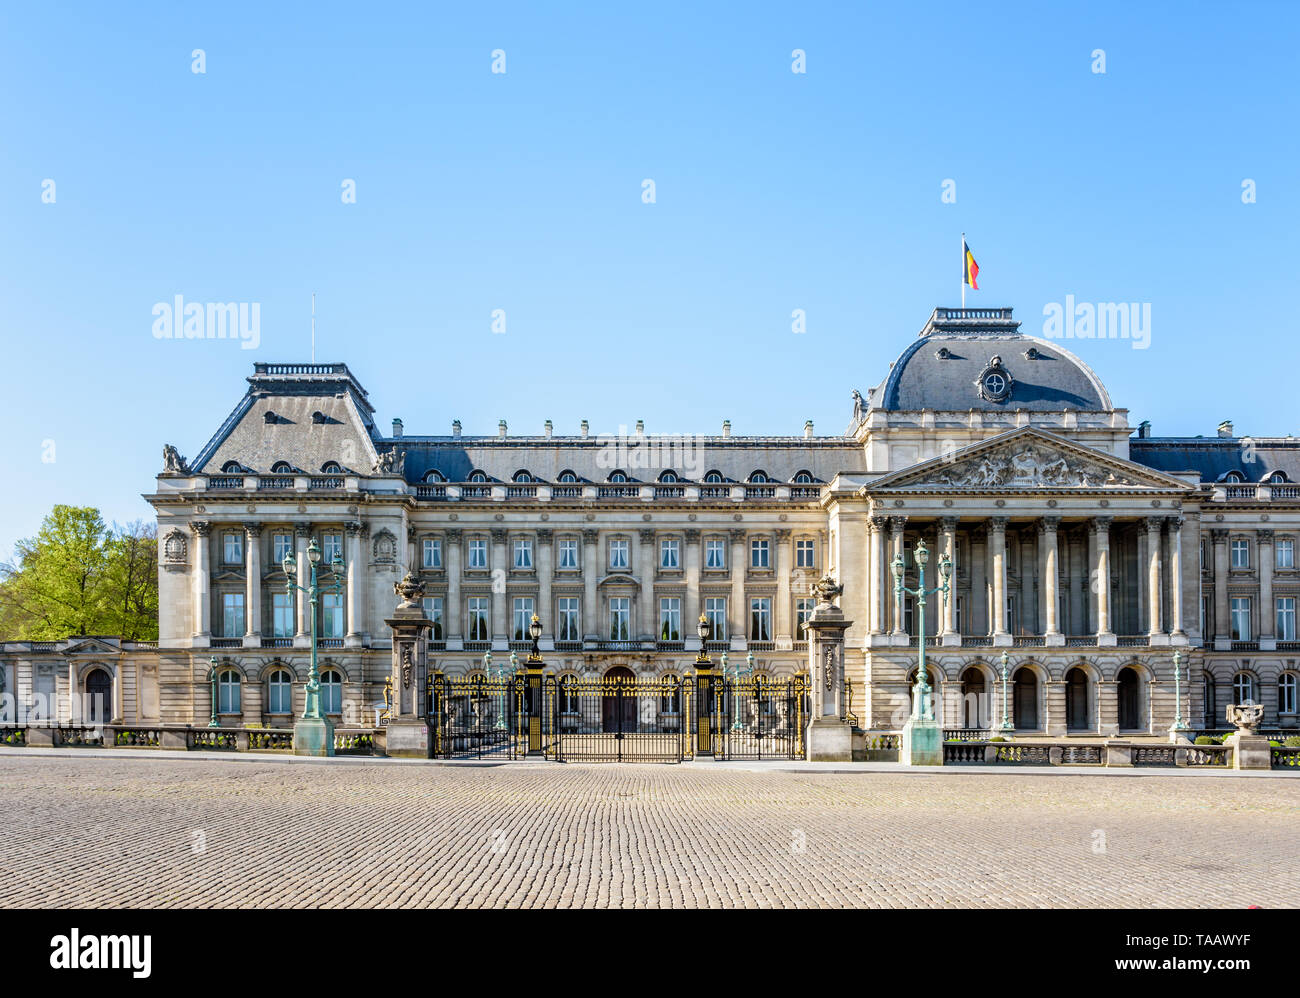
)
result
[(80, 576)]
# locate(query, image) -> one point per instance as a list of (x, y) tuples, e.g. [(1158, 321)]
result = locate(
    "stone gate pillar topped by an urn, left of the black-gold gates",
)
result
[(409, 735)]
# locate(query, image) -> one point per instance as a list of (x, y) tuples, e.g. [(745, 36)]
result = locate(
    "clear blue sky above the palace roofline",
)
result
[(478, 192)]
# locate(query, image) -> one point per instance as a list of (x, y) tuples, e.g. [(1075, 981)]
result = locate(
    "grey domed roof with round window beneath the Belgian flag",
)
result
[(978, 359)]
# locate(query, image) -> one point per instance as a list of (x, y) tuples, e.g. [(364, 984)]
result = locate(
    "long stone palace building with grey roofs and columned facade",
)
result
[(1087, 556)]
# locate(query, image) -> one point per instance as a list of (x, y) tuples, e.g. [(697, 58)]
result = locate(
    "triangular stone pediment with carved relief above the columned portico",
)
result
[(1029, 459)]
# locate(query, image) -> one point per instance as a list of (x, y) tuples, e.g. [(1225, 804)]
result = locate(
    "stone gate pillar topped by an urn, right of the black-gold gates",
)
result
[(830, 736)]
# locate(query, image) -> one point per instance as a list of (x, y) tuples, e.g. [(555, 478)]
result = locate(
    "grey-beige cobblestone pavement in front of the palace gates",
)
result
[(145, 834)]
